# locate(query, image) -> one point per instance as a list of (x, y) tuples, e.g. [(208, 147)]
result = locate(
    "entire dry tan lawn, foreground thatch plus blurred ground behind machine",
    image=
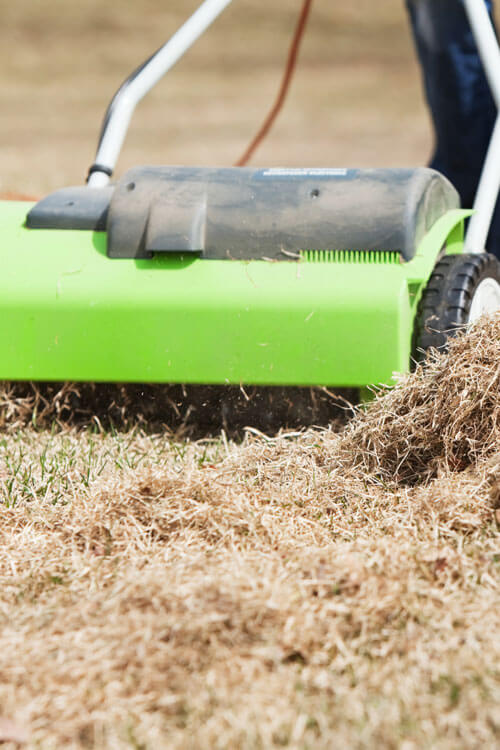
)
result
[(317, 589)]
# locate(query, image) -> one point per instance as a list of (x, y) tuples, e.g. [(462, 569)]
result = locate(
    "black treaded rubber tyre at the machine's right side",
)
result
[(446, 302)]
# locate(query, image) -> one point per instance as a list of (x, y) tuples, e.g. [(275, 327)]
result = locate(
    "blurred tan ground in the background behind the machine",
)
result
[(356, 99)]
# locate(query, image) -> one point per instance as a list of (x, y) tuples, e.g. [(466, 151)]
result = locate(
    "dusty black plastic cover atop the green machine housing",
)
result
[(273, 213)]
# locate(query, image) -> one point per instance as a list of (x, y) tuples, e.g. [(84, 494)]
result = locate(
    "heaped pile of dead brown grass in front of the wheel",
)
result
[(443, 417)]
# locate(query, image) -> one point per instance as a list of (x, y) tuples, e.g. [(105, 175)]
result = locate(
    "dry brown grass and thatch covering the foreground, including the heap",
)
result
[(307, 590)]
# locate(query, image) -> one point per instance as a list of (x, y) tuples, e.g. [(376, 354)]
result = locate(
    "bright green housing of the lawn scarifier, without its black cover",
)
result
[(72, 313)]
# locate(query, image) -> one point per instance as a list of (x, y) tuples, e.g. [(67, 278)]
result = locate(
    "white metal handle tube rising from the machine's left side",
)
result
[(124, 102)]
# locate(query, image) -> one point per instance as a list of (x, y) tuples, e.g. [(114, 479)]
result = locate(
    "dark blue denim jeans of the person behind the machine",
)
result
[(461, 104)]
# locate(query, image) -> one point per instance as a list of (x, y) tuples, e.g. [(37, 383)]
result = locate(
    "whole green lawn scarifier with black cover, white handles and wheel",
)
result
[(236, 276)]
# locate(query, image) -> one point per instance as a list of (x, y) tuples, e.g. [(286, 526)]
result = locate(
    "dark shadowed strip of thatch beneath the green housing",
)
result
[(186, 411)]
